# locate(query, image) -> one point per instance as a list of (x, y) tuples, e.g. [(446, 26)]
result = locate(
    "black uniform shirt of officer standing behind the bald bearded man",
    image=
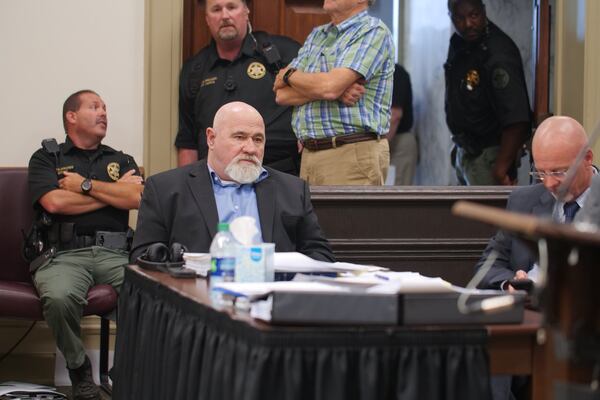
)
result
[(208, 82)]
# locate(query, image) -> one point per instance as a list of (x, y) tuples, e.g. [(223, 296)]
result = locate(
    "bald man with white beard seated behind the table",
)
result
[(184, 205)]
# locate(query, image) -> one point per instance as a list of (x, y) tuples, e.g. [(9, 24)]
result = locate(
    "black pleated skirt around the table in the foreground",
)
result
[(170, 347)]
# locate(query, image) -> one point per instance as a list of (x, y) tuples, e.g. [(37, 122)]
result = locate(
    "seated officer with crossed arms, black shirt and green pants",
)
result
[(83, 191)]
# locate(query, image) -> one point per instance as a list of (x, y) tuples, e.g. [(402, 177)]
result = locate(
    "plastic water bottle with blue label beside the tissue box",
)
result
[(223, 251)]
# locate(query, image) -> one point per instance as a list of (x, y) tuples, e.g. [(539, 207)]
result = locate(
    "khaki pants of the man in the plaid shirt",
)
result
[(362, 163)]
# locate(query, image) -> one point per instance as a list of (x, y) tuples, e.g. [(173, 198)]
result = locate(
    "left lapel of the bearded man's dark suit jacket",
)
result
[(201, 187)]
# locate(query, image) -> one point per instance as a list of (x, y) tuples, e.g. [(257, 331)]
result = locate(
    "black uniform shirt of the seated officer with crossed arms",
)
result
[(104, 164)]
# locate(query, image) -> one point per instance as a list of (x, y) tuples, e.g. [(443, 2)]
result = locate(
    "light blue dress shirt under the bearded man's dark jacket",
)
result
[(236, 200)]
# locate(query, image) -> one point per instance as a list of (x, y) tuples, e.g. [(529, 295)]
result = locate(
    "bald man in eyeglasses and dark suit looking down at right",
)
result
[(556, 144)]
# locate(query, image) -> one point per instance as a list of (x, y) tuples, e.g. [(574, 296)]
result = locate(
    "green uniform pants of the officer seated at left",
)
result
[(63, 283)]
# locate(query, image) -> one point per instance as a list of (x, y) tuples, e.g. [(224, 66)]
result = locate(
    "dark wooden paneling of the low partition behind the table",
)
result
[(406, 229)]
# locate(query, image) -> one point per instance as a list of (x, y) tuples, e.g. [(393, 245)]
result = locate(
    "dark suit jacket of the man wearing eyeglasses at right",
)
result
[(512, 252)]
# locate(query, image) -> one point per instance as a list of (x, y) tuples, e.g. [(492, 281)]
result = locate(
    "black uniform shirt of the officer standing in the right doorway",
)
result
[(485, 89)]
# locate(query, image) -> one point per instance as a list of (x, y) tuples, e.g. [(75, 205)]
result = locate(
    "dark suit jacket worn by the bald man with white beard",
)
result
[(179, 206)]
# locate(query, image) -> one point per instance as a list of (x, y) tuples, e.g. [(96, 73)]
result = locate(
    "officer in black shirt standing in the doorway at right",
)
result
[(487, 106)]
